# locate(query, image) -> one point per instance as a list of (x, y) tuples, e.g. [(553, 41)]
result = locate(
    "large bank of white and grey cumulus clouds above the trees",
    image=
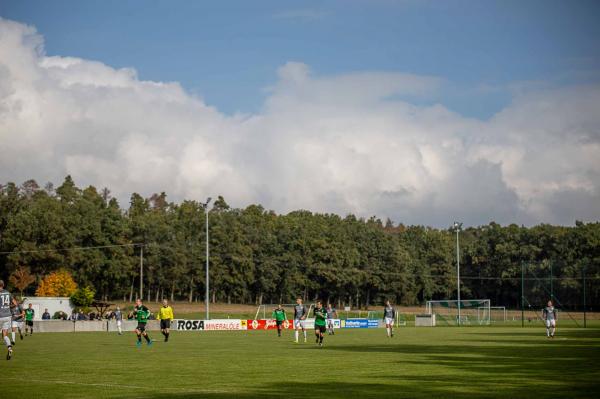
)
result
[(343, 144)]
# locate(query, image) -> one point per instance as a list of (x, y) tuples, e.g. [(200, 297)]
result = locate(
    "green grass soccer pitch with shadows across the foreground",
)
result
[(470, 362)]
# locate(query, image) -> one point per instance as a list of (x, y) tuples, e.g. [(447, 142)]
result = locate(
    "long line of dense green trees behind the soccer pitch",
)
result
[(259, 256)]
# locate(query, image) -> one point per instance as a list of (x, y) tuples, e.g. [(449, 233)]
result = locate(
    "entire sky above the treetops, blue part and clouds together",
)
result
[(424, 112)]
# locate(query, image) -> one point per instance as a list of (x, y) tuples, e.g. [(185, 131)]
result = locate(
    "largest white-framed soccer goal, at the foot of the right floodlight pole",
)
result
[(472, 311)]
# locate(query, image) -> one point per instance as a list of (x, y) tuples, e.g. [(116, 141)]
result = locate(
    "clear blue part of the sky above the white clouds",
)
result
[(228, 52)]
